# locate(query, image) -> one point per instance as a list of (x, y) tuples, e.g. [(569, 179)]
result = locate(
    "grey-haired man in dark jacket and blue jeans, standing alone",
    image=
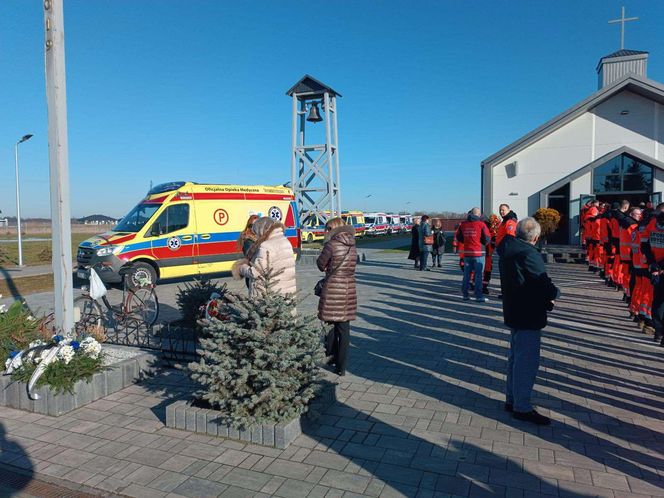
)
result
[(528, 294)]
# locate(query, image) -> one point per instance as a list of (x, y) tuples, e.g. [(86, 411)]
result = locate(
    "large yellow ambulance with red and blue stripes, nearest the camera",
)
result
[(183, 229)]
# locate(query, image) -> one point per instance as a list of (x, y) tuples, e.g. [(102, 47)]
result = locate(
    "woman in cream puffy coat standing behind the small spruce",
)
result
[(273, 246)]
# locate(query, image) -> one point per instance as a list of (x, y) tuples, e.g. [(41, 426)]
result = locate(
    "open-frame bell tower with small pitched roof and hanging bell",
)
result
[(315, 151)]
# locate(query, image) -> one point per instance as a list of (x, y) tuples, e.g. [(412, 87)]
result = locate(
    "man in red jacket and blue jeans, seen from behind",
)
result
[(474, 235)]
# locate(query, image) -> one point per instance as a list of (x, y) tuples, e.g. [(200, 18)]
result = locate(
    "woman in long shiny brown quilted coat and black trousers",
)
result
[(338, 296)]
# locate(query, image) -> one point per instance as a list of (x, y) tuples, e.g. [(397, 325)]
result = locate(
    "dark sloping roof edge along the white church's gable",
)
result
[(645, 87)]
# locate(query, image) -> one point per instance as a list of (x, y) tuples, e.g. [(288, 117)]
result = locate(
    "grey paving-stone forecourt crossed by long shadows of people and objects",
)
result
[(419, 413)]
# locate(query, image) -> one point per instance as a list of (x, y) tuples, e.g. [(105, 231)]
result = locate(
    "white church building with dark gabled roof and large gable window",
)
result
[(609, 146)]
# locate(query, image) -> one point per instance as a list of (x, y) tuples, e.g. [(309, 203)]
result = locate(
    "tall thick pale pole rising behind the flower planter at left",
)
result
[(58, 154)]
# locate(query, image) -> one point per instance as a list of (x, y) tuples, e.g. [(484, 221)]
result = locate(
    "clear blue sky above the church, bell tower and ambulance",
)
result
[(194, 90)]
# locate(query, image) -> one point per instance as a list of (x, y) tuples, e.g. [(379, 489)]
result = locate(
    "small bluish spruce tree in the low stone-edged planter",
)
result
[(260, 365)]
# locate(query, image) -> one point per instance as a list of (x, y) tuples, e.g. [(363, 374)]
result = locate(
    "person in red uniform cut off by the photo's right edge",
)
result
[(652, 245)]
